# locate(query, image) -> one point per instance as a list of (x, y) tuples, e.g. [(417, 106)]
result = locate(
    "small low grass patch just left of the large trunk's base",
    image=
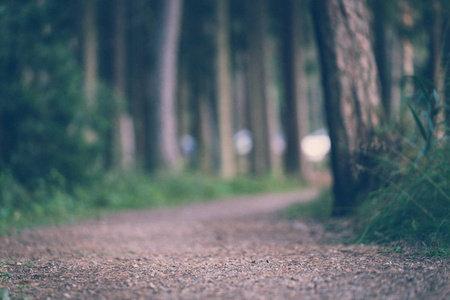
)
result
[(319, 208)]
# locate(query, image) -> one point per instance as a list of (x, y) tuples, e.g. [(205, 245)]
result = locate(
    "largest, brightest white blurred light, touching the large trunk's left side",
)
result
[(316, 145)]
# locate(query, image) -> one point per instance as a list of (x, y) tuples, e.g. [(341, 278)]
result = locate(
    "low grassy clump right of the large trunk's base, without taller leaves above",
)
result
[(413, 206)]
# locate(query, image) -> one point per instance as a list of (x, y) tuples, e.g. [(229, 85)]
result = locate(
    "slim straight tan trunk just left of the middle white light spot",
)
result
[(224, 87)]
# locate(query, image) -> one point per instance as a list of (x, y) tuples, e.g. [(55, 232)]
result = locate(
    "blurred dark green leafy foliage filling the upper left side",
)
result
[(40, 106)]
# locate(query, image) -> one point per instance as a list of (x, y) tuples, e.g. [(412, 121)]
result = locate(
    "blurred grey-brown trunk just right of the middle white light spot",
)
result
[(257, 92)]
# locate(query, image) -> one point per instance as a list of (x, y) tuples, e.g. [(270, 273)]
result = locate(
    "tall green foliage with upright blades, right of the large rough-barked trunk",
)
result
[(413, 203)]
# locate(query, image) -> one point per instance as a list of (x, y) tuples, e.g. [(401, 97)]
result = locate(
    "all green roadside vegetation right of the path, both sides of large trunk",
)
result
[(411, 200)]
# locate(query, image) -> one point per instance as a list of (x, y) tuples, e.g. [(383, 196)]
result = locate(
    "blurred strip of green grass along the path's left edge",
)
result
[(49, 205)]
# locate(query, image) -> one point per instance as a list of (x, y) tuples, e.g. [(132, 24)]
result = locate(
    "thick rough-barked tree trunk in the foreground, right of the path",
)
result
[(352, 98)]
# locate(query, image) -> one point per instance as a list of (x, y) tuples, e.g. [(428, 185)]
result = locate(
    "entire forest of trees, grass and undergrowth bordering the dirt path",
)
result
[(113, 104)]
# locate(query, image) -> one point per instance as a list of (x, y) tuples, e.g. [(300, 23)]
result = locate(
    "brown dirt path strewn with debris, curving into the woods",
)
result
[(237, 249)]
